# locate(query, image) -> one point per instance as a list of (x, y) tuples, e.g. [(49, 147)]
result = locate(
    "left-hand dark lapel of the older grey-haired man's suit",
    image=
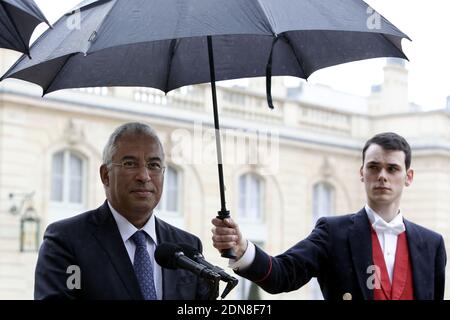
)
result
[(107, 233)]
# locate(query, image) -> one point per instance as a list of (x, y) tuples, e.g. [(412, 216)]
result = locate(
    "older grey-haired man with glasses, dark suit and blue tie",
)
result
[(108, 253)]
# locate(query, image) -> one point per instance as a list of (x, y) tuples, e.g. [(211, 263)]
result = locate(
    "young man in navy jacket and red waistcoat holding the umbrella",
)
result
[(374, 254)]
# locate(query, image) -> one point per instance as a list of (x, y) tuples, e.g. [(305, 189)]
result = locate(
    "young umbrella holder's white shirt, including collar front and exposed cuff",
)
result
[(387, 239)]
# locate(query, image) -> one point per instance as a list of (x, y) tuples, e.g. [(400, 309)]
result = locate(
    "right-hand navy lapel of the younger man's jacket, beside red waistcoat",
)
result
[(419, 255)]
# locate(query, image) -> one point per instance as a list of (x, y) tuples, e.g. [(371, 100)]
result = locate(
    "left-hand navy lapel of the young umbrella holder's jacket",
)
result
[(361, 250)]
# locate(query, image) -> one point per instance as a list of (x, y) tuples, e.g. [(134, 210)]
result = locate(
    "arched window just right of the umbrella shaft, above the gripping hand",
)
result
[(251, 198)]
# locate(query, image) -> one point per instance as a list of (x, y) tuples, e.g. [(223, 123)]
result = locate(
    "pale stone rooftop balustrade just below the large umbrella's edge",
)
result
[(242, 104)]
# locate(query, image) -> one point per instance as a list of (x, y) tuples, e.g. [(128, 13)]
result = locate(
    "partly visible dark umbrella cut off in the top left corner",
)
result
[(18, 19)]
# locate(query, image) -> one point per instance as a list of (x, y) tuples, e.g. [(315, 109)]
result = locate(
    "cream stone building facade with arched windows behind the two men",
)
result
[(283, 168)]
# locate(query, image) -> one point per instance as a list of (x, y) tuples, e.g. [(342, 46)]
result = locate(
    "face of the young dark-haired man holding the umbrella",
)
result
[(384, 175)]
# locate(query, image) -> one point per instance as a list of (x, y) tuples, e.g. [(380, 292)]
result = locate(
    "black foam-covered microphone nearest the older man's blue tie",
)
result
[(171, 256)]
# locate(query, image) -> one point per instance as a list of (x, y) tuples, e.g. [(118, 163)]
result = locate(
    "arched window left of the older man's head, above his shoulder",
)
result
[(68, 185)]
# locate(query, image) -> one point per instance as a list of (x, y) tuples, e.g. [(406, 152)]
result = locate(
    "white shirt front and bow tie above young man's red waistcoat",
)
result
[(387, 233)]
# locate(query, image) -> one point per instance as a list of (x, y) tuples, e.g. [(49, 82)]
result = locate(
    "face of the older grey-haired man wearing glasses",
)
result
[(134, 192)]
